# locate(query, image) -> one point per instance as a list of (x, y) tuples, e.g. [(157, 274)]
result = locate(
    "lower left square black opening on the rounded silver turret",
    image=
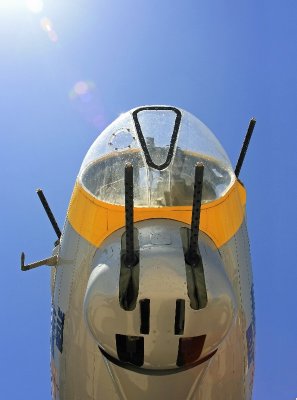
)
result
[(130, 349)]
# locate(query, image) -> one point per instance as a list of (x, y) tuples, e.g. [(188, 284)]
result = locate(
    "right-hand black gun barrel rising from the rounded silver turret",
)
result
[(198, 183)]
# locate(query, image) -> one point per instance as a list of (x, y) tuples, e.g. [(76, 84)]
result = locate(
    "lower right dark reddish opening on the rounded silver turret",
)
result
[(189, 350)]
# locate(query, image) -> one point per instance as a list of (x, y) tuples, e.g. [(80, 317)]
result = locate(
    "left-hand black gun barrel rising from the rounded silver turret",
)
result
[(131, 258)]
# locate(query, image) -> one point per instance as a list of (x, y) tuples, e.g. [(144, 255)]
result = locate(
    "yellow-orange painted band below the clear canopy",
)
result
[(95, 220)]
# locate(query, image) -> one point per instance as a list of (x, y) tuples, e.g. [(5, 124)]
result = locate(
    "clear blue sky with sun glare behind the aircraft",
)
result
[(224, 61)]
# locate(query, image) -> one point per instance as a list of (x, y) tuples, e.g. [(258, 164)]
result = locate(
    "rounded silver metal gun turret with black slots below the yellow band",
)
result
[(155, 332)]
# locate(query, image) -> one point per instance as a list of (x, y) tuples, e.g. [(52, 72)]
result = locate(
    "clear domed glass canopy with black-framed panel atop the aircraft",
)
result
[(163, 144)]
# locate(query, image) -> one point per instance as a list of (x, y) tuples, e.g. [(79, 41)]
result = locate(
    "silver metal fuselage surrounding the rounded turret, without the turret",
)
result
[(79, 370)]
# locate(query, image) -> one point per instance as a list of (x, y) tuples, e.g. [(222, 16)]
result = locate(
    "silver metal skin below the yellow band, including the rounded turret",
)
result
[(88, 319)]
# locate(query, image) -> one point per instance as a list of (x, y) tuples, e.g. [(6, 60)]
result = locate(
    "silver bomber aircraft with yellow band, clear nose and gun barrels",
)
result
[(152, 289)]
